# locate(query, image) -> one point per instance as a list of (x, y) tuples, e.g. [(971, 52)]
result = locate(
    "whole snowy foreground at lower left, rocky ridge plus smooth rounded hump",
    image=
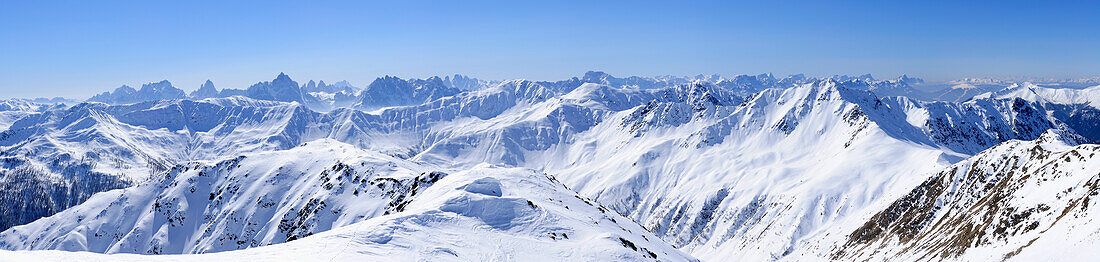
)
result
[(378, 206)]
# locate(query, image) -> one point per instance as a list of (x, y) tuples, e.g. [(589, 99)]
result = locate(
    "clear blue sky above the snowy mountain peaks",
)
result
[(76, 49)]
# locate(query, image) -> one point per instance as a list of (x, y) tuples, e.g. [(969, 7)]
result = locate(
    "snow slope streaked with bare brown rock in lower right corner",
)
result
[(1021, 200)]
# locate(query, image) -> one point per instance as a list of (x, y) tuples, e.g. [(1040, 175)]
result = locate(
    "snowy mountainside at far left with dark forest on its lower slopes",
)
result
[(58, 158)]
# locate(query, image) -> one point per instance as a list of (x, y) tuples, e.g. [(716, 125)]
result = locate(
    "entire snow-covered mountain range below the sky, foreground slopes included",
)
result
[(592, 168)]
